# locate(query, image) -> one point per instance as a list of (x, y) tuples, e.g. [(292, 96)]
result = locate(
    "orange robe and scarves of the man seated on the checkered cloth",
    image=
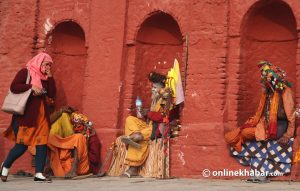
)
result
[(257, 128)]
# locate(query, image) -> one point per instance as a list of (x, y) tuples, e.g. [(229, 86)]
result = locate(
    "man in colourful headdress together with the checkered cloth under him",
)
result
[(270, 130)]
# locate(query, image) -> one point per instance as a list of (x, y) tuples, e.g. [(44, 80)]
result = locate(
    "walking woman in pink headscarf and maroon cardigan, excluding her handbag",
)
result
[(32, 128)]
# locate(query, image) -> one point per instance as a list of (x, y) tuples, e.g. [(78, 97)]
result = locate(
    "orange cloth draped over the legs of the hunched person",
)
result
[(61, 154)]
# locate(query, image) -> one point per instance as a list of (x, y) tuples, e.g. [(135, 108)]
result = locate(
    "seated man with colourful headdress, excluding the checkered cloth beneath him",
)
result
[(275, 116)]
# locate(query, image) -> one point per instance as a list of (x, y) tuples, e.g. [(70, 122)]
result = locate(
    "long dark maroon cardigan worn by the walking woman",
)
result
[(30, 116)]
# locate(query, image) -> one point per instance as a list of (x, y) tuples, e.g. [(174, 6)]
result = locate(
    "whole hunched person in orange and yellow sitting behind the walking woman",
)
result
[(73, 144)]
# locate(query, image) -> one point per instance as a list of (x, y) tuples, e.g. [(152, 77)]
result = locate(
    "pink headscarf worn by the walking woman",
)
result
[(34, 66)]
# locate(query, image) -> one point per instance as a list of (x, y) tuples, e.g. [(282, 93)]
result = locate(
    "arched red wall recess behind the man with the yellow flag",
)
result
[(158, 43)]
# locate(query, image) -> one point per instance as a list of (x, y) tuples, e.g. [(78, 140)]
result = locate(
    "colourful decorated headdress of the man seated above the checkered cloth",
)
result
[(273, 76)]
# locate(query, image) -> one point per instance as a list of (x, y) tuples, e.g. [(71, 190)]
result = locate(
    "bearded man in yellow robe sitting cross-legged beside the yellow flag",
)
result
[(138, 129)]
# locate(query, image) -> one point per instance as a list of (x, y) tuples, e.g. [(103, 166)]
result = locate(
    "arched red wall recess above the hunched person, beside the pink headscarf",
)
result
[(67, 47)]
